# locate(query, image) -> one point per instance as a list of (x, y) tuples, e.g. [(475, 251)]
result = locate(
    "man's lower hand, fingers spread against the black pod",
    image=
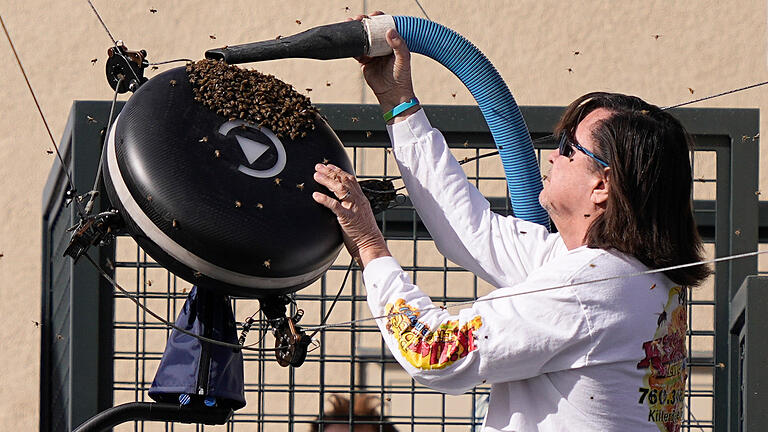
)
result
[(353, 211)]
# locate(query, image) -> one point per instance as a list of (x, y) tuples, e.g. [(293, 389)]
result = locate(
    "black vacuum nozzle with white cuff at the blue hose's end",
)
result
[(332, 41)]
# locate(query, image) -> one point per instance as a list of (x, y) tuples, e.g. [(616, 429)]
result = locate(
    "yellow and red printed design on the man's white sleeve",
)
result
[(427, 349)]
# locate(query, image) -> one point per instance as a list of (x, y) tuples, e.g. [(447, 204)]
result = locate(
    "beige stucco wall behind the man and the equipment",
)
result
[(705, 46)]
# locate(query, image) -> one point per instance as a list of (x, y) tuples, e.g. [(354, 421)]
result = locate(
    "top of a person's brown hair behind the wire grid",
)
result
[(363, 411)]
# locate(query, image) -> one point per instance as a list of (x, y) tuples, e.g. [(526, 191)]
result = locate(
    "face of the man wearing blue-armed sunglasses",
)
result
[(568, 187)]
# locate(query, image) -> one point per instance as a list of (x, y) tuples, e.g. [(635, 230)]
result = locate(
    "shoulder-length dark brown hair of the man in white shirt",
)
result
[(649, 213)]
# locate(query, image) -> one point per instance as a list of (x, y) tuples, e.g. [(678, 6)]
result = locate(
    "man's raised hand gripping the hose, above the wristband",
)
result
[(390, 76)]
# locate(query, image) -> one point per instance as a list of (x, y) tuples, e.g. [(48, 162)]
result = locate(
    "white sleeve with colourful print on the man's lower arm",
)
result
[(506, 339)]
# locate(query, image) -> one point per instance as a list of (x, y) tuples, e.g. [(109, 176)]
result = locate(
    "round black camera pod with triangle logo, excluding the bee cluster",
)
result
[(223, 204)]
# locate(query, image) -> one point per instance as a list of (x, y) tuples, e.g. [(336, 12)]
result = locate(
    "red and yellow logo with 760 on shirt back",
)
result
[(663, 388)]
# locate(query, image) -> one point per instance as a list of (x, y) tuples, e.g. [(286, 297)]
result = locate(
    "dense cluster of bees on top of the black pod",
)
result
[(251, 96)]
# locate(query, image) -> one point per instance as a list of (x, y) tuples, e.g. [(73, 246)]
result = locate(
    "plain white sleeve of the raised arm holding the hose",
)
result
[(501, 250)]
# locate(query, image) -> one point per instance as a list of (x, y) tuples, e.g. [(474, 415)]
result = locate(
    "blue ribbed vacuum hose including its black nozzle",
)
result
[(469, 64)]
